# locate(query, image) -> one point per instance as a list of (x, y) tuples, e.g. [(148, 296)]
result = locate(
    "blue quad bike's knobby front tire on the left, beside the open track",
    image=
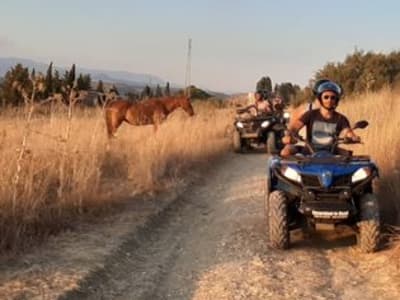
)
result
[(277, 215)]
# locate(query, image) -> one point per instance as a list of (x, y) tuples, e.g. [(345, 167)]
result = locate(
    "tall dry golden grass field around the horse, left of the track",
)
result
[(92, 172)]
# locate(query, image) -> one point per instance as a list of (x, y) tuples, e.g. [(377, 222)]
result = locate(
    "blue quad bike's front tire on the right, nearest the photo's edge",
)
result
[(369, 225)]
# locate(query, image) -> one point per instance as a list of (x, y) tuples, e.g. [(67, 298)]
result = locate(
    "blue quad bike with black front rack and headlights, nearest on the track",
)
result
[(322, 188)]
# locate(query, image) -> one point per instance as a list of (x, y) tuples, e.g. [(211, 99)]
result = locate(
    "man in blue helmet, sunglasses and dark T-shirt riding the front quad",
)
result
[(321, 123)]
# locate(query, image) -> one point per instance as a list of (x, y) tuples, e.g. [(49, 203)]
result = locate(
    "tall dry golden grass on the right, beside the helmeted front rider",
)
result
[(381, 141)]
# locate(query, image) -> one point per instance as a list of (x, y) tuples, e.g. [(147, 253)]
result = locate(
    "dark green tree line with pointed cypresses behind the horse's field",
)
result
[(18, 84)]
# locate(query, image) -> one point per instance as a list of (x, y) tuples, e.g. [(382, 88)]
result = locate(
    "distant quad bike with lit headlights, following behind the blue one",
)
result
[(263, 130)]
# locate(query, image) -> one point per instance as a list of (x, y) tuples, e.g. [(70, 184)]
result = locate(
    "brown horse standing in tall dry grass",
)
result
[(151, 111)]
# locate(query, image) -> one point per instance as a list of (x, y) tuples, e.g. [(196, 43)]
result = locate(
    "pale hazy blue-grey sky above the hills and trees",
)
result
[(234, 43)]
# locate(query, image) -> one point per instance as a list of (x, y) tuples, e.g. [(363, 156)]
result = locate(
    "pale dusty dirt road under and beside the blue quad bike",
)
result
[(212, 245)]
